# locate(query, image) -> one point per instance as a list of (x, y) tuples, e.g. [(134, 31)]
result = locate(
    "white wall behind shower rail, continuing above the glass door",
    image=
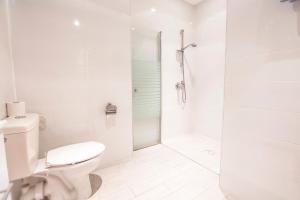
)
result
[(170, 18)]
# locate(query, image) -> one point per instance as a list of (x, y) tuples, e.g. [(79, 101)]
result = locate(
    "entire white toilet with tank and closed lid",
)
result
[(65, 169)]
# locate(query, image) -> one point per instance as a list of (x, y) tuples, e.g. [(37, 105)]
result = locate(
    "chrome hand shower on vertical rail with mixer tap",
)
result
[(181, 86)]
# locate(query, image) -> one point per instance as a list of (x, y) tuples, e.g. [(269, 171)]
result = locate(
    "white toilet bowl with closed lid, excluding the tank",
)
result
[(70, 165)]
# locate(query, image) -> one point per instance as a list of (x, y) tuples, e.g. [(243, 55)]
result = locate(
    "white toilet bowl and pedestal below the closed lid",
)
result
[(70, 182)]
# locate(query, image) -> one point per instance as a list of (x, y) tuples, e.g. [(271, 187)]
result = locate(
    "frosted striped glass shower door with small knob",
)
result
[(146, 73)]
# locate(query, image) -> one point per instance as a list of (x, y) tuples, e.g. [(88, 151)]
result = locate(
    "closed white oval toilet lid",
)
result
[(72, 154)]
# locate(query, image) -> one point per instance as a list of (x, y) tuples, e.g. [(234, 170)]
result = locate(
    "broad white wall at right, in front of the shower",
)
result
[(261, 141)]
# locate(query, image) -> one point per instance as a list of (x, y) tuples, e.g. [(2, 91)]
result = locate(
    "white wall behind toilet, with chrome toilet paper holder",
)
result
[(68, 74)]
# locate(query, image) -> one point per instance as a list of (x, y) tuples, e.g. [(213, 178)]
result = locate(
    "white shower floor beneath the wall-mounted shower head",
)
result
[(198, 148)]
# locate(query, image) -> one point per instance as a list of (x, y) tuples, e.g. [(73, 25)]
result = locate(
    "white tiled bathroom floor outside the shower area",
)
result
[(159, 173)]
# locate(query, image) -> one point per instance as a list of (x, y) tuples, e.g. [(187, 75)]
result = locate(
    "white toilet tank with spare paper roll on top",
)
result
[(21, 135)]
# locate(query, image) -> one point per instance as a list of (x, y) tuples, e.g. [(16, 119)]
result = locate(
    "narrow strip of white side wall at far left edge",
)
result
[(6, 73)]
